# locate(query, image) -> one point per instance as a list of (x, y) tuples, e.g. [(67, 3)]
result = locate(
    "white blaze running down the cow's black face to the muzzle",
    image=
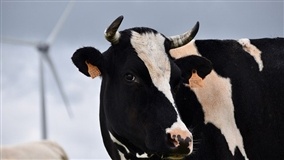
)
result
[(151, 50)]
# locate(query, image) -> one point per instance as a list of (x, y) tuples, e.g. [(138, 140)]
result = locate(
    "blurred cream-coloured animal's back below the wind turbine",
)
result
[(44, 149)]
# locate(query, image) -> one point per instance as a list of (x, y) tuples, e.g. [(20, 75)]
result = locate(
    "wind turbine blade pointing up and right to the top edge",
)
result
[(60, 23)]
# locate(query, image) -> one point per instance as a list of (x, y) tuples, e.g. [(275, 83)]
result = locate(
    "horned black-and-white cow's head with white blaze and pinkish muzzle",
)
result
[(138, 114)]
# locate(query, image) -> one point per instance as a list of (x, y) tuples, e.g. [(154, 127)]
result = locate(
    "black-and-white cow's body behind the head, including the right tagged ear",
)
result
[(234, 101)]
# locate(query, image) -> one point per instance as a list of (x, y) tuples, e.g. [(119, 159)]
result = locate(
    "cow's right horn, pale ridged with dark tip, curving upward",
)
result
[(180, 40)]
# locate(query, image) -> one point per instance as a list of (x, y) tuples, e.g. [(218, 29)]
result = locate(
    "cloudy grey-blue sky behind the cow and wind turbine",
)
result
[(26, 24)]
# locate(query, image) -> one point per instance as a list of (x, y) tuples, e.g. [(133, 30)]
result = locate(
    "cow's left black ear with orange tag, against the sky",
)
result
[(89, 61)]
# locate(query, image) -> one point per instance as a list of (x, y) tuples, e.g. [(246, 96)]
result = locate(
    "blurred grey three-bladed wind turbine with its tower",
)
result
[(43, 49)]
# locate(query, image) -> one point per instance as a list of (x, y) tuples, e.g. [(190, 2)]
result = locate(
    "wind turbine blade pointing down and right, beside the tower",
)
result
[(64, 97)]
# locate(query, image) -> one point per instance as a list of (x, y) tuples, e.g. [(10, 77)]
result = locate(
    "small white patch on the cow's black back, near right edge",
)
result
[(253, 51)]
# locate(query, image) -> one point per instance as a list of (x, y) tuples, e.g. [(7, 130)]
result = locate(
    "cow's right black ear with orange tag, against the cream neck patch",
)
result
[(194, 69)]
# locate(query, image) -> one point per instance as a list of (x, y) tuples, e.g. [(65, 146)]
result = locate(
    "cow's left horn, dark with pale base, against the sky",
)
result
[(111, 33)]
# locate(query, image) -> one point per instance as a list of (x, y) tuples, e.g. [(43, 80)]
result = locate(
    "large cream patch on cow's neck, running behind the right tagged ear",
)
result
[(216, 101)]
